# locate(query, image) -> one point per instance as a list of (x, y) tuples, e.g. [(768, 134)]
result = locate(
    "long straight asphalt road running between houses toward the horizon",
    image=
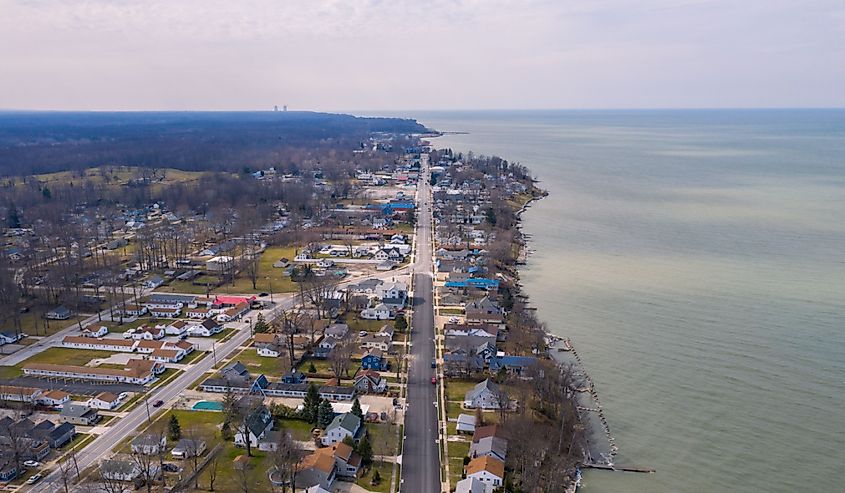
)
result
[(420, 455)]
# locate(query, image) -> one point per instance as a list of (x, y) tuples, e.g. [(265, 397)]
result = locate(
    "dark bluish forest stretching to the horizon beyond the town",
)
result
[(46, 142)]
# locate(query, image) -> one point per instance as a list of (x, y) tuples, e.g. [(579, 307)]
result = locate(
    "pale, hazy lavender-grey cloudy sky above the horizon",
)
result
[(371, 55)]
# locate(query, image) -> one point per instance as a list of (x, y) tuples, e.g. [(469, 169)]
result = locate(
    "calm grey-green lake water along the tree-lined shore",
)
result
[(697, 261)]
